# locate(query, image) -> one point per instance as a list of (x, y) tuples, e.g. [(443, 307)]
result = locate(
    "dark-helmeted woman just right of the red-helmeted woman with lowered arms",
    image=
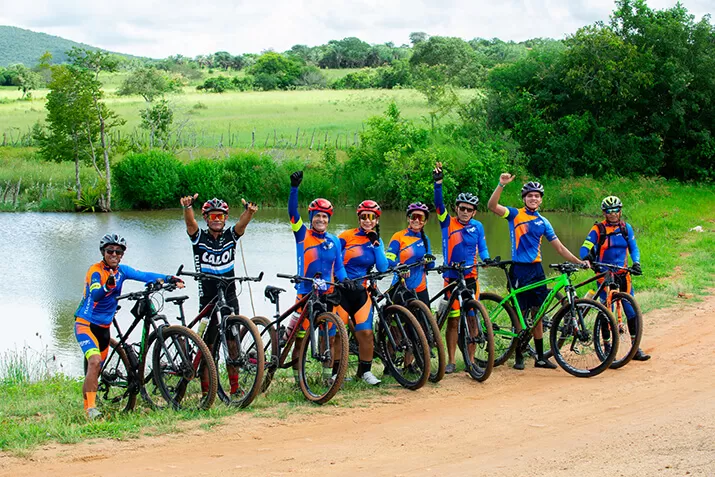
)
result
[(410, 246)]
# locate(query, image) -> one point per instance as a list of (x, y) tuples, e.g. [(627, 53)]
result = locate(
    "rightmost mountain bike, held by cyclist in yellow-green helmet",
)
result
[(630, 330)]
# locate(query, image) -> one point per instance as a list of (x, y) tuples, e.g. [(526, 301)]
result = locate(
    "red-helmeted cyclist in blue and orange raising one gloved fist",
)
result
[(317, 252)]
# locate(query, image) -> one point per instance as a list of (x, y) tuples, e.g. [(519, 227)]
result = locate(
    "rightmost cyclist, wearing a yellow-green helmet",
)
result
[(612, 241)]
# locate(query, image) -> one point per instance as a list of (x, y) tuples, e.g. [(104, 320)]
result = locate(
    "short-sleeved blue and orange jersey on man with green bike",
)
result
[(526, 229)]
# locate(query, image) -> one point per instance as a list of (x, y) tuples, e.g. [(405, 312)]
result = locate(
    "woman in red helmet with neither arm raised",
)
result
[(362, 249)]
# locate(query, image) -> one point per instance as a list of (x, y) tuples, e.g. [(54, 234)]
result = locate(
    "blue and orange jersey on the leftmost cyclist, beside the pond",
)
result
[(99, 303)]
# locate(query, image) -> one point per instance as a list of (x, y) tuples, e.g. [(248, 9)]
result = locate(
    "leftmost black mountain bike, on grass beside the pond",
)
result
[(165, 364)]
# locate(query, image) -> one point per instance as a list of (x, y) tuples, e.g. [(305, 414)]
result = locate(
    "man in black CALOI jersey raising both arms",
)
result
[(214, 253)]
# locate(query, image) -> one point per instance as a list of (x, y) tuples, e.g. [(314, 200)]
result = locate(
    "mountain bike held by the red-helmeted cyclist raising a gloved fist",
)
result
[(325, 340)]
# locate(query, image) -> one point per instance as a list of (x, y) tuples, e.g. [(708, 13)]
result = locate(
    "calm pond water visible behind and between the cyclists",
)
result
[(44, 259)]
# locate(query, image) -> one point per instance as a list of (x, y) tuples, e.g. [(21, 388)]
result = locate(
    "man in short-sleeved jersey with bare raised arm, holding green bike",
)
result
[(526, 228)]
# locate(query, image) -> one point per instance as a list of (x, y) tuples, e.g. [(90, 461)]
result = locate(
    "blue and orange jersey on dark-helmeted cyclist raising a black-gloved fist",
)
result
[(460, 242)]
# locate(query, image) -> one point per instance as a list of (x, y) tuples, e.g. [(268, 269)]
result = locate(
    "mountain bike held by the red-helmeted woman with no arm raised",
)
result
[(400, 342)]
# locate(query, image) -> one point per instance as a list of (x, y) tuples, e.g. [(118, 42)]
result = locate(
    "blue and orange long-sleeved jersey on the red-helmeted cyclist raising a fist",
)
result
[(316, 252)]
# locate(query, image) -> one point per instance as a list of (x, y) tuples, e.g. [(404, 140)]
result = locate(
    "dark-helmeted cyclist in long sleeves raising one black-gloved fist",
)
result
[(462, 241)]
